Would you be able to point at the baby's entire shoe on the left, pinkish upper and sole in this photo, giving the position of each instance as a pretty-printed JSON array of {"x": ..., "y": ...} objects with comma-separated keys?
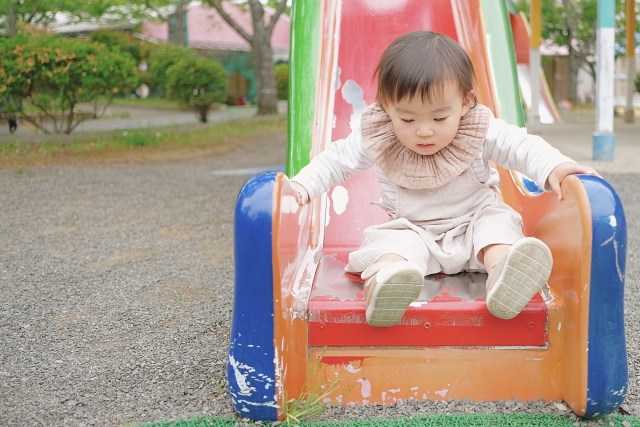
[{"x": 391, "y": 285}]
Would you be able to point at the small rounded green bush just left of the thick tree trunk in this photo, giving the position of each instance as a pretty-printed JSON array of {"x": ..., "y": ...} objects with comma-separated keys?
[{"x": 198, "y": 83}]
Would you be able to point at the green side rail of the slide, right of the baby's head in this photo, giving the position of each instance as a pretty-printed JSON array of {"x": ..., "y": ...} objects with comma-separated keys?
[{"x": 503, "y": 60}]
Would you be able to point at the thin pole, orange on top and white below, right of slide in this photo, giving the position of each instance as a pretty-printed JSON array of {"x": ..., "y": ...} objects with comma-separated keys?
[{"x": 535, "y": 12}]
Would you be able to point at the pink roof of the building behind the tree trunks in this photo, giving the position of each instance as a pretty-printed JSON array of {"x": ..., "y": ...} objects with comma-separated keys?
[{"x": 207, "y": 30}]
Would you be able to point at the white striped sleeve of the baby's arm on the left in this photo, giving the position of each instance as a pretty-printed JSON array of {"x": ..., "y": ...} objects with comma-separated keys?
[{"x": 333, "y": 166}]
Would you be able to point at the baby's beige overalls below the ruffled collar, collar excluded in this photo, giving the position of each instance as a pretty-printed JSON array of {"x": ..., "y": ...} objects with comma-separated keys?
[{"x": 441, "y": 230}]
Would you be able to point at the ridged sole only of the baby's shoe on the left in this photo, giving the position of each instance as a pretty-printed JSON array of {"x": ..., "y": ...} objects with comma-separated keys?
[{"x": 398, "y": 286}]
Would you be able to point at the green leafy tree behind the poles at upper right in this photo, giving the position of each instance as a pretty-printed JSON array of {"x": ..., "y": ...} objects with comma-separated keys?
[{"x": 572, "y": 24}]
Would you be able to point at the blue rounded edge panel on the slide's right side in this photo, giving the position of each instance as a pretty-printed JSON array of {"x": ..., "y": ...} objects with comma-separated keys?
[{"x": 607, "y": 361}]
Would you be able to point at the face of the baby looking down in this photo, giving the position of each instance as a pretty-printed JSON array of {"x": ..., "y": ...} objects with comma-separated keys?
[{"x": 427, "y": 127}]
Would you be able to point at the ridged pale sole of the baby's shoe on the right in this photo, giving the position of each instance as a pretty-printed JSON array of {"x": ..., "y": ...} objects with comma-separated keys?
[{"x": 525, "y": 273}]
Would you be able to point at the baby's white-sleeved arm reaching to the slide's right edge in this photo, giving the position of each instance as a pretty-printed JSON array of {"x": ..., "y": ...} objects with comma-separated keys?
[{"x": 513, "y": 148}]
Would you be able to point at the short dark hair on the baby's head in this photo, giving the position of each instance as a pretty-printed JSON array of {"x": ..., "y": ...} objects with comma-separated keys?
[{"x": 422, "y": 63}]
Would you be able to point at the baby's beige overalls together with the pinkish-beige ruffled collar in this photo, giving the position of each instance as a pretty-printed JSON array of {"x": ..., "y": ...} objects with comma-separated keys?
[{"x": 441, "y": 228}]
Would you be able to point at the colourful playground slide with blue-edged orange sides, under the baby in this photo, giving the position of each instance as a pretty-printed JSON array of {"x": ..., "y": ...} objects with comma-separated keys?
[{"x": 299, "y": 319}]
